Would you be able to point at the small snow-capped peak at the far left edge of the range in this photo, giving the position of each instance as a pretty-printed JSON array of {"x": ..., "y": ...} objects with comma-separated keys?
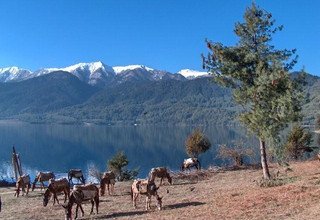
[{"x": 13, "y": 74}]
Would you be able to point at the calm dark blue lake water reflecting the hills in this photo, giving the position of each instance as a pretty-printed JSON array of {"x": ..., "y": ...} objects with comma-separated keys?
[{"x": 59, "y": 148}]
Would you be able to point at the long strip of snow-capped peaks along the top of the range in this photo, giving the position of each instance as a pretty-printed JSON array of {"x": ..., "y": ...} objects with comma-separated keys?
[{"x": 99, "y": 74}]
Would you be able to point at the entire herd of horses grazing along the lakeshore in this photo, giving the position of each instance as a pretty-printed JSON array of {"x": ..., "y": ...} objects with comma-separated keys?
[{"x": 90, "y": 192}]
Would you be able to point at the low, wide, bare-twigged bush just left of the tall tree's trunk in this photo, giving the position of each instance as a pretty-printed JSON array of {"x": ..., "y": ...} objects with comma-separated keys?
[{"x": 236, "y": 153}]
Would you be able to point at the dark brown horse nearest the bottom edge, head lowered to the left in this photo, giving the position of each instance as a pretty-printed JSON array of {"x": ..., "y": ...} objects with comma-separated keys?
[{"x": 80, "y": 194}]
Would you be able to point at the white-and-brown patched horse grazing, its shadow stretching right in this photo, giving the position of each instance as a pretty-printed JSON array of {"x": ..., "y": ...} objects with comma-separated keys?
[{"x": 144, "y": 187}]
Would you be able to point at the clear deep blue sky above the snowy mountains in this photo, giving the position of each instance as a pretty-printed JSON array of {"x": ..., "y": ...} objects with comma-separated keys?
[{"x": 162, "y": 34}]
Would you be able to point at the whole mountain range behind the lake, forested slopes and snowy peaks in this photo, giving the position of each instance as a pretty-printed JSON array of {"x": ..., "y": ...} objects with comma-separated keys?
[{"x": 134, "y": 94}]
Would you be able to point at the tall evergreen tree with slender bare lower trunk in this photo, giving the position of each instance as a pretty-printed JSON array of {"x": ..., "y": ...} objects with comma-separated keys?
[{"x": 258, "y": 75}]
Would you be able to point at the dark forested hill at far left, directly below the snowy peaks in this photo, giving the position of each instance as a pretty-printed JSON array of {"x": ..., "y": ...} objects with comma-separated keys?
[{"x": 42, "y": 94}]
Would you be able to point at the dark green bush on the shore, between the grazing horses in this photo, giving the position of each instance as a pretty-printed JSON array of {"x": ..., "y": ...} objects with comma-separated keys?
[{"x": 118, "y": 163}]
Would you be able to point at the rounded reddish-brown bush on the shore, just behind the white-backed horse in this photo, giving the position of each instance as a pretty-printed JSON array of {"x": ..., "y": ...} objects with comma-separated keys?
[{"x": 197, "y": 143}]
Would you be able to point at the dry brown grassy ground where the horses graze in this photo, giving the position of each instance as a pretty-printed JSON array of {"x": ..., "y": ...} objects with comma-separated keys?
[{"x": 216, "y": 195}]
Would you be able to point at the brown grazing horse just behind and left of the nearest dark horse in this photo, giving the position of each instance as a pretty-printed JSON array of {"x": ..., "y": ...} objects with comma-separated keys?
[{"x": 54, "y": 187}]
